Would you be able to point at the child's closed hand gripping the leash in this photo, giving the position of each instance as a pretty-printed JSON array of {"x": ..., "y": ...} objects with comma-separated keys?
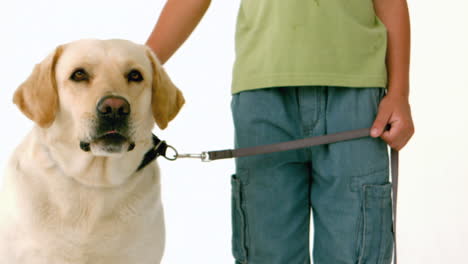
[{"x": 394, "y": 110}]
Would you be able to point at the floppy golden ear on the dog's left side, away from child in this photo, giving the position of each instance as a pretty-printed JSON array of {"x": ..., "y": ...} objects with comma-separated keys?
[{"x": 37, "y": 97}]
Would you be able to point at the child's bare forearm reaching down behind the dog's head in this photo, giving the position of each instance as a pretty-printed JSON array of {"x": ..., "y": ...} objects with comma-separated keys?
[{"x": 175, "y": 24}]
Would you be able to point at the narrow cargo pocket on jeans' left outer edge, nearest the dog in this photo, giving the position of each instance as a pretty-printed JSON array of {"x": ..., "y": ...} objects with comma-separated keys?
[{"x": 239, "y": 227}]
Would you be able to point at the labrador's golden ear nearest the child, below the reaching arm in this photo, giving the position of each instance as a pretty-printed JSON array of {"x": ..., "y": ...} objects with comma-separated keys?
[{"x": 166, "y": 99}]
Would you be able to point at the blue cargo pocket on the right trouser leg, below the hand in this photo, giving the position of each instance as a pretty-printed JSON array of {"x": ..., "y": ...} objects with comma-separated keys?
[{"x": 375, "y": 236}]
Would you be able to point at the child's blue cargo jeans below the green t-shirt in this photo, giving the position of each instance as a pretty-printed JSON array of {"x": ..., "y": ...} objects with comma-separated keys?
[{"x": 345, "y": 184}]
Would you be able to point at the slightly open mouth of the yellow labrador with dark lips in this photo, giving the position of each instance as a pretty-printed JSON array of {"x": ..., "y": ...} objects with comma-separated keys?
[{"x": 109, "y": 143}]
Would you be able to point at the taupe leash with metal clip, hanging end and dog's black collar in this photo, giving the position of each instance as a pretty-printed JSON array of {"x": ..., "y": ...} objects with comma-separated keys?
[{"x": 160, "y": 148}]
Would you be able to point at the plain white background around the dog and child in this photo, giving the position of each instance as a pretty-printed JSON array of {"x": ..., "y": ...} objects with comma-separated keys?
[{"x": 433, "y": 198}]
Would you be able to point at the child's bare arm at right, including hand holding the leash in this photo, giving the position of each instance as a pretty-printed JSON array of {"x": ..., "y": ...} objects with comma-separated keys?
[{"x": 394, "y": 107}]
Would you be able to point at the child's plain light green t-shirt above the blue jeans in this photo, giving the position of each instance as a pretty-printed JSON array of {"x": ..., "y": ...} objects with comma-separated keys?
[{"x": 309, "y": 42}]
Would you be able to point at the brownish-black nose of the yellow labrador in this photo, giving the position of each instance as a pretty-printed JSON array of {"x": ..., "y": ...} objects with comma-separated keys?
[{"x": 113, "y": 107}]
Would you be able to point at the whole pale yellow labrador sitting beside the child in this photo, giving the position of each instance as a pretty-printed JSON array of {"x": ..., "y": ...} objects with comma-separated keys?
[{"x": 72, "y": 192}]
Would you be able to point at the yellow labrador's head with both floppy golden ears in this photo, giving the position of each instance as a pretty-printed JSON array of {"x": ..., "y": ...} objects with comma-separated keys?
[{"x": 106, "y": 94}]
